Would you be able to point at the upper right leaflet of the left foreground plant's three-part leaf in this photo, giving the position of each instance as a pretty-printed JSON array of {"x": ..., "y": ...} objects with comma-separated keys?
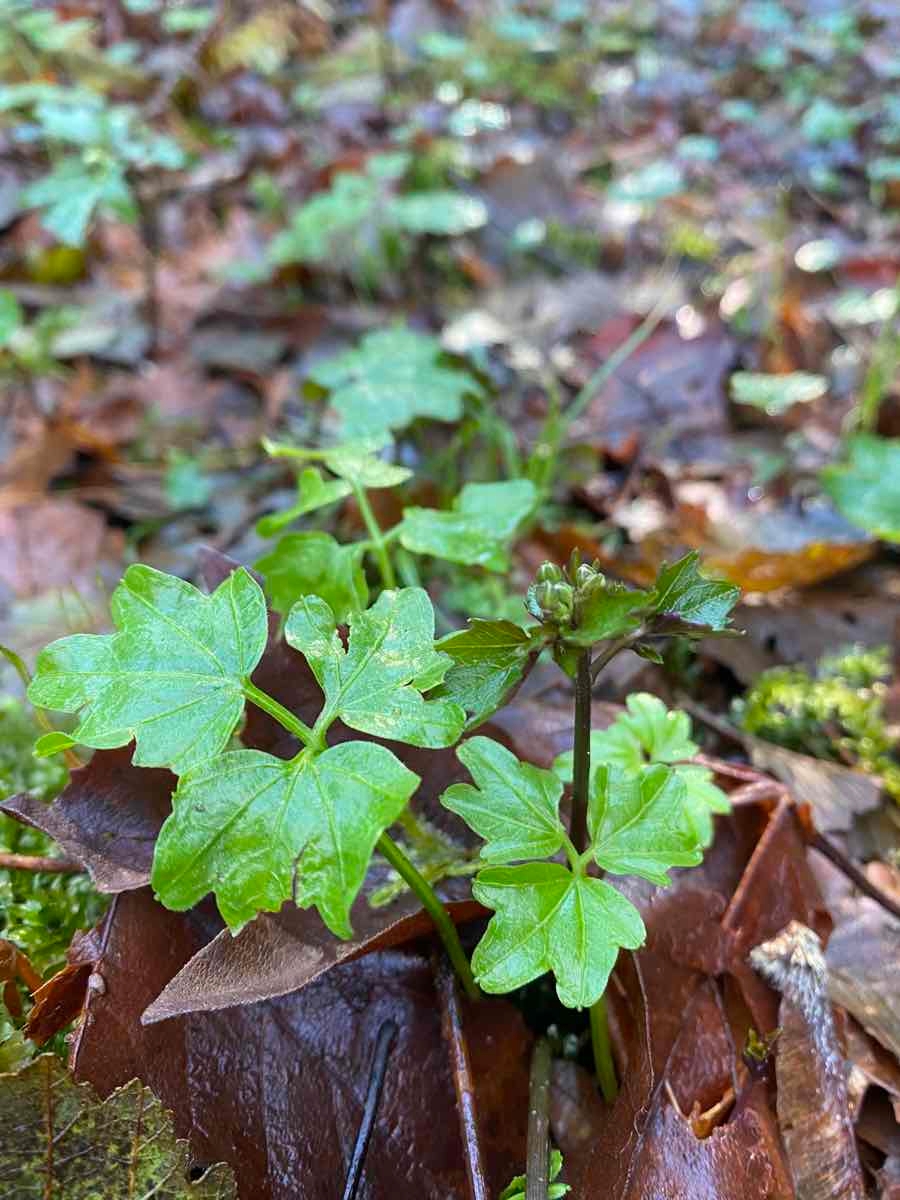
[{"x": 376, "y": 685}]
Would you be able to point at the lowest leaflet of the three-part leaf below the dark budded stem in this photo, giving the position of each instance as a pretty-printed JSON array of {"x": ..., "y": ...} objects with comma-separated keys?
[{"x": 547, "y": 919}]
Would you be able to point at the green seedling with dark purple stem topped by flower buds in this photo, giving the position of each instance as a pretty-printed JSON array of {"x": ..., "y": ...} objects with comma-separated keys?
[{"x": 629, "y": 817}]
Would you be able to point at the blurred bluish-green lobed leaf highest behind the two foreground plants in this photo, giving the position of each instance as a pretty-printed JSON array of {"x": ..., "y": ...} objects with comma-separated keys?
[{"x": 393, "y": 379}]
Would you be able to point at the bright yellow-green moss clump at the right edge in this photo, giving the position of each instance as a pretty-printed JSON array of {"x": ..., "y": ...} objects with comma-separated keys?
[{"x": 836, "y": 712}]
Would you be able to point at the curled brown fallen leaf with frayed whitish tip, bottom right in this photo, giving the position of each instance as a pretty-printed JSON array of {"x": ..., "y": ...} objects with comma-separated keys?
[{"x": 819, "y": 1137}]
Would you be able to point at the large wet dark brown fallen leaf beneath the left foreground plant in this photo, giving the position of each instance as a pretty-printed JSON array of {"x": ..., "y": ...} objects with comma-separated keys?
[{"x": 278, "y": 1089}]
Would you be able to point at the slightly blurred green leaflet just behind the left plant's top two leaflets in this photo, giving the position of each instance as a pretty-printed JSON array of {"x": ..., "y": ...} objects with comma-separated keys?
[{"x": 315, "y": 565}]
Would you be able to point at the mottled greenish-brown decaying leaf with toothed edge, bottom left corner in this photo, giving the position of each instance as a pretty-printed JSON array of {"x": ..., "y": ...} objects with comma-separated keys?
[{"x": 58, "y": 1139}]
